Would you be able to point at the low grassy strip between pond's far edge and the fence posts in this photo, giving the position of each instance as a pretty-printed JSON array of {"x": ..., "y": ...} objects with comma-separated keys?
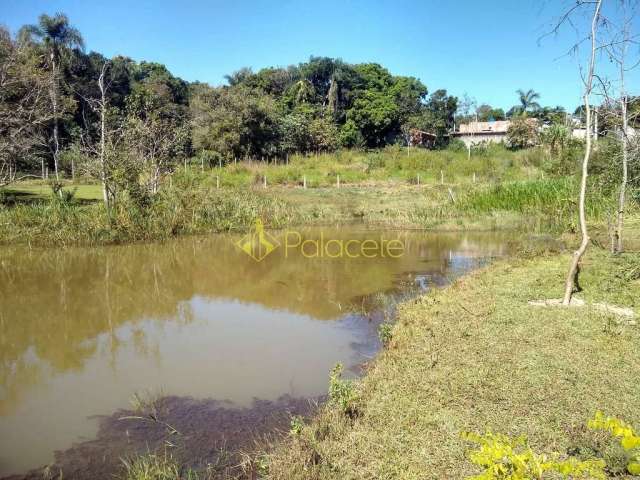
[{"x": 190, "y": 206}]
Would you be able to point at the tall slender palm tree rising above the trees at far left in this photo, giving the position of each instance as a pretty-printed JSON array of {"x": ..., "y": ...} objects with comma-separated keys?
[{"x": 58, "y": 36}]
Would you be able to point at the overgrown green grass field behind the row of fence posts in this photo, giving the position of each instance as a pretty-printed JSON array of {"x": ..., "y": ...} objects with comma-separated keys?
[{"x": 392, "y": 164}]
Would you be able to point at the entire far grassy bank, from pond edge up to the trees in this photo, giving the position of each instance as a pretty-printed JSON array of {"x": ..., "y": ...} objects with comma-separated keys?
[{"x": 510, "y": 191}]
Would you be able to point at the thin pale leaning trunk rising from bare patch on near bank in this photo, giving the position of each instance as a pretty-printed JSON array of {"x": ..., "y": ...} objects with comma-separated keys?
[{"x": 574, "y": 268}]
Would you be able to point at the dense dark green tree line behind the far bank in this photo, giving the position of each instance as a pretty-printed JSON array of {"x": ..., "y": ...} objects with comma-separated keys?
[{"x": 59, "y": 104}]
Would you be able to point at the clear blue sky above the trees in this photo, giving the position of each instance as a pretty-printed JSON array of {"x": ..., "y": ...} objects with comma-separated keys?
[{"x": 485, "y": 49}]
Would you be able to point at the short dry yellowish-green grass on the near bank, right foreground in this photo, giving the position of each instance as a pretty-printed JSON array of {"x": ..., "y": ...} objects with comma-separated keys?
[{"x": 474, "y": 357}]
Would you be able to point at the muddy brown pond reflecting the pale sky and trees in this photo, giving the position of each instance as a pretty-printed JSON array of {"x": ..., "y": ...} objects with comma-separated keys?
[{"x": 229, "y": 346}]
